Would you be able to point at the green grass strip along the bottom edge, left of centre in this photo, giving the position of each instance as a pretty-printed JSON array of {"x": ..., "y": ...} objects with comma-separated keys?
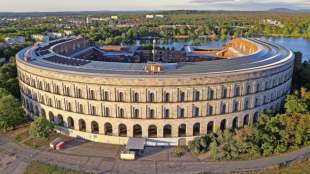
[{"x": 39, "y": 168}]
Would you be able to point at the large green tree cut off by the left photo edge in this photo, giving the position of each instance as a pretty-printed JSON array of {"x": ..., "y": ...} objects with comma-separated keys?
[{"x": 11, "y": 113}]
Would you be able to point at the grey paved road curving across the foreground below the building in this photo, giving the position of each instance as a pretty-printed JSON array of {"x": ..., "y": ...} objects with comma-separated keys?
[{"x": 25, "y": 155}]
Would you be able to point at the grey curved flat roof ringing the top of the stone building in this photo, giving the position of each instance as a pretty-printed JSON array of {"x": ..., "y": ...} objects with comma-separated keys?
[{"x": 267, "y": 56}]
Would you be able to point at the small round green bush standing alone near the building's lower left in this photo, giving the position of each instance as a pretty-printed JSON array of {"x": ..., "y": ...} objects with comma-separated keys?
[{"x": 41, "y": 128}]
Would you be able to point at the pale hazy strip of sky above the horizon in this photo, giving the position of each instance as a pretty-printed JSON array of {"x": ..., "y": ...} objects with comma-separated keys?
[{"x": 125, "y": 5}]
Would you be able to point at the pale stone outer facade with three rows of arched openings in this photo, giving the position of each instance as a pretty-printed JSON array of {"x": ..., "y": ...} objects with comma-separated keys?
[{"x": 36, "y": 98}]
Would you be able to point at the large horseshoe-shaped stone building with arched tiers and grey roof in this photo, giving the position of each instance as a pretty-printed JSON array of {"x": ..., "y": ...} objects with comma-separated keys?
[{"x": 110, "y": 94}]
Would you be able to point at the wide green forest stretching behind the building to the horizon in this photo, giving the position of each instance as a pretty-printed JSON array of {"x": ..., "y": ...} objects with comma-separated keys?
[{"x": 175, "y": 25}]
